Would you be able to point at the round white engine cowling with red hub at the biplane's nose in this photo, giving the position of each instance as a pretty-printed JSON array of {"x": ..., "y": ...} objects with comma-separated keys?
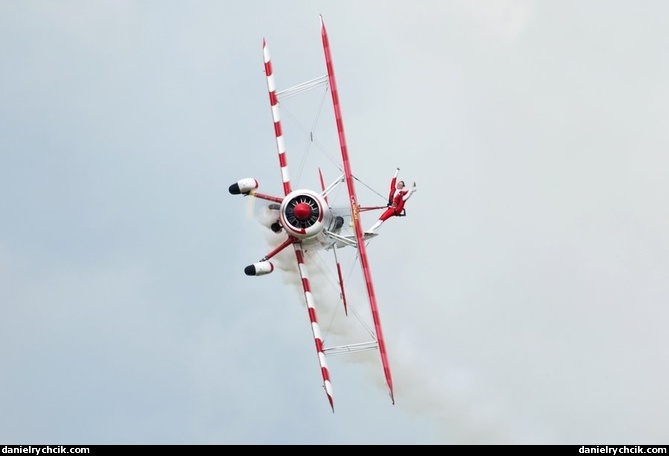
[{"x": 304, "y": 213}]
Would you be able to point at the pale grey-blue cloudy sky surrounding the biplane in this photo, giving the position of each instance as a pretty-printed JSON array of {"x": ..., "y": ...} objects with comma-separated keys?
[{"x": 524, "y": 297}]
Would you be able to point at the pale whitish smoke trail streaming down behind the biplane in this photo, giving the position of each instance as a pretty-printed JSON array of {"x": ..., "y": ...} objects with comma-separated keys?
[{"x": 451, "y": 397}]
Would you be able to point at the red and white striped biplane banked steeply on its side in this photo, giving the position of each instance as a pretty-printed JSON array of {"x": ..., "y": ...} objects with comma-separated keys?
[{"x": 308, "y": 222}]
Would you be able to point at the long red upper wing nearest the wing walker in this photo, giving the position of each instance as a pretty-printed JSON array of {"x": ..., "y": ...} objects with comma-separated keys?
[{"x": 355, "y": 212}]
